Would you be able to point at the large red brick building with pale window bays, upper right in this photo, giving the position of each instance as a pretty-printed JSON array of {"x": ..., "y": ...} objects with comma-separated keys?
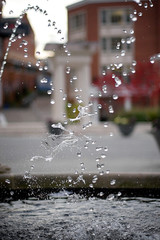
[{"x": 124, "y": 30}]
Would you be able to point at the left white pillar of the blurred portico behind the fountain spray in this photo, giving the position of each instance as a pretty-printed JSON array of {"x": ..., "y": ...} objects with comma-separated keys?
[{"x": 58, "y": 108}]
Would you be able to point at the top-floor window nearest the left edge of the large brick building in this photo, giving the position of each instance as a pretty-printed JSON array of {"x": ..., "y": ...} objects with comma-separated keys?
[{"x": 77, "y": 21}]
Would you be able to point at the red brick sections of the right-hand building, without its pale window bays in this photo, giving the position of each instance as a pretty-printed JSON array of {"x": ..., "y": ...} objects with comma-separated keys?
[{"x": 147, "y": 29}]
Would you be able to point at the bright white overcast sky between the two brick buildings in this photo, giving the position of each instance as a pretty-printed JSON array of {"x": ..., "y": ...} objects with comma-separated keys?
[{"x": 56, "y": 10}]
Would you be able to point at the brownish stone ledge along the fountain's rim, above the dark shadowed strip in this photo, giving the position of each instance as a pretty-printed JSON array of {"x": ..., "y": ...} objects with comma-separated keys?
[{"x": 110, "y": 181}]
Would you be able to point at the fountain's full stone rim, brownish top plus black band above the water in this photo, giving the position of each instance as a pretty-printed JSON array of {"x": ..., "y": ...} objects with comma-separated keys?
[{"x": 147, "y": 185}]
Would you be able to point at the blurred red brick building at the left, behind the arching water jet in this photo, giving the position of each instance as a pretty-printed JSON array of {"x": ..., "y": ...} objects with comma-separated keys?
[{"x": 21, "y": 70}]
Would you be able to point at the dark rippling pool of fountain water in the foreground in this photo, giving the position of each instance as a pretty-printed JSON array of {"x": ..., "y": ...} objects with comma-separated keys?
[{"x": 65, "y": 216}]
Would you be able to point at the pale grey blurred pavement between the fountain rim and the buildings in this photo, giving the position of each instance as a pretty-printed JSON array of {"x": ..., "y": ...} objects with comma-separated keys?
[{"x": 24, "y": 137}]
